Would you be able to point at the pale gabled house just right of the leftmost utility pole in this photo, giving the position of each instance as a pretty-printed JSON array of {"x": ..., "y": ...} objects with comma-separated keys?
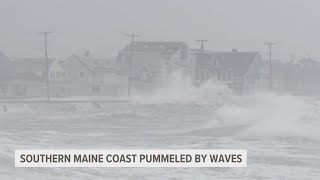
[{"x": 84, "y": 76}]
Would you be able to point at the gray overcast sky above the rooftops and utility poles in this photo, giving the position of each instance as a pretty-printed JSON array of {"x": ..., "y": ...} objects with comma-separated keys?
[{"x": 98, "y": 25}]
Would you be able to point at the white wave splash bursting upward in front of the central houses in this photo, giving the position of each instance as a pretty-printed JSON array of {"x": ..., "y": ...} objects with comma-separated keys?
[{"x": 180, "y": 89}]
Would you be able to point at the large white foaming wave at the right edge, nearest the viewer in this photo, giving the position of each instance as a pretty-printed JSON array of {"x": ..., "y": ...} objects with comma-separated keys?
[{"x": 269, "y": 115}]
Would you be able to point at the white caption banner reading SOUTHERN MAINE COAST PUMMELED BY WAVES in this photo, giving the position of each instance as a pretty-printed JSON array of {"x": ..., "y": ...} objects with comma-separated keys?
[{"x": 131, "y": 158}]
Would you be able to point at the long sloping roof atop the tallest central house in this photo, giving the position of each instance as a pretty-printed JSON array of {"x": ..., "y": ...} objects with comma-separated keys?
[{"x": 153, "y": 47}]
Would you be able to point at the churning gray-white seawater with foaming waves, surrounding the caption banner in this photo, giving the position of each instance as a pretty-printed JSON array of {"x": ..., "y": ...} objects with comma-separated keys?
[{"x": 280, "y": 132}]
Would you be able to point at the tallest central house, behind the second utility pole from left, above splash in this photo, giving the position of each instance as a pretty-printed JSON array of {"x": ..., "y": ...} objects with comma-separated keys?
[{"x": 151, "y": 63}]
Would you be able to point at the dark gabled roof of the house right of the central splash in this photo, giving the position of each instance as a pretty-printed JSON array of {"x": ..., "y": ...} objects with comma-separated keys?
[{"x": 239, "y": 62}]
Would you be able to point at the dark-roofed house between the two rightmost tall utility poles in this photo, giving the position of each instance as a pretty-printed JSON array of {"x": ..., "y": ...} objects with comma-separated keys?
[{"x": 241, "y": 71}]
